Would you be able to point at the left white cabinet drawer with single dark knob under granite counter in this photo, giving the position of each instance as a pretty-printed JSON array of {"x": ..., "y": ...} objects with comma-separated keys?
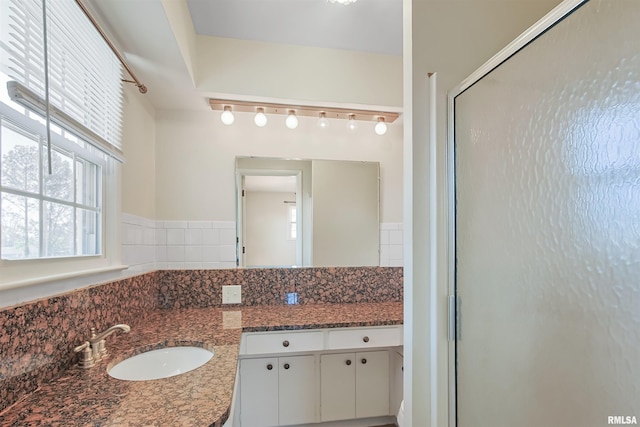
[{"x": 284, "y": 342}]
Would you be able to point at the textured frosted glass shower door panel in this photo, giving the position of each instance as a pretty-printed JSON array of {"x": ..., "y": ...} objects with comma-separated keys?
[{"x": 547, "y": 228}]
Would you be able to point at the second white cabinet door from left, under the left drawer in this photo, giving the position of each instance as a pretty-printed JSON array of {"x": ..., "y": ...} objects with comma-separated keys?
[{"x": 297, "y": 390}]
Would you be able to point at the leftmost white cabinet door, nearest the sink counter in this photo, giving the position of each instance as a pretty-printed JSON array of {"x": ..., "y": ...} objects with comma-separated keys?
[{"x": 259, "y": 392}]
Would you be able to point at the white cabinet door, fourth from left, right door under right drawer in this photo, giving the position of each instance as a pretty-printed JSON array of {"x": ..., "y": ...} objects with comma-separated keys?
[{"x": 372, "y": 384}]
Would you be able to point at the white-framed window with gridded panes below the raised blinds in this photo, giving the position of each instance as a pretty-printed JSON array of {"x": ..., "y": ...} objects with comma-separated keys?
[{"x": 57, "y": 215}]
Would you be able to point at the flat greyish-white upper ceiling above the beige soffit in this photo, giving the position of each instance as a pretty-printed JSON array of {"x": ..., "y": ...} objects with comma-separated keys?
[{"x": 373, "y": 26}]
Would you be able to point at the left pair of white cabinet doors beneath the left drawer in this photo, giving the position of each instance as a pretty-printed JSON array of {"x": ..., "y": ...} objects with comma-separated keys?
[{"x": 277, "y": 391}]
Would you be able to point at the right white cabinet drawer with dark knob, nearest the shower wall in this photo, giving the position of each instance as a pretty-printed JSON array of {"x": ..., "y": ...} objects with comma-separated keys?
[{"x": 365, "y": 338}]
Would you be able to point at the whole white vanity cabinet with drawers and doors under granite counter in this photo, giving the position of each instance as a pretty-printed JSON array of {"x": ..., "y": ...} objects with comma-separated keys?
[{"x": 317, "y": 375}]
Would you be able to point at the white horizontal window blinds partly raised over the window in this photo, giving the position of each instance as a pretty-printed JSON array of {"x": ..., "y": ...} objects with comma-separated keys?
[{"x": 85, "y": 77}]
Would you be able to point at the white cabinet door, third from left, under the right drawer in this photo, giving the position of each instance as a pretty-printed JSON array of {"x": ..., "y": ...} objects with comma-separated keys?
[{"x": 337, "y": 386}]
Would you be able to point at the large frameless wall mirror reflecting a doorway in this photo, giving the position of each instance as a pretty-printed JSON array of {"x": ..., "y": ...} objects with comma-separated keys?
[{"x": 303, "y": 213}]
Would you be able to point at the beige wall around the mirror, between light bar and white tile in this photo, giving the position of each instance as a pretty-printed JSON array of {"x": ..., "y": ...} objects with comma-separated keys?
[{"x": 195, "y": 155}]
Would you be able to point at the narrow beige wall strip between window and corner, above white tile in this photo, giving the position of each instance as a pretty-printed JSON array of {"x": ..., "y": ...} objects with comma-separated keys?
[{"x": 138, "y": 140}]
